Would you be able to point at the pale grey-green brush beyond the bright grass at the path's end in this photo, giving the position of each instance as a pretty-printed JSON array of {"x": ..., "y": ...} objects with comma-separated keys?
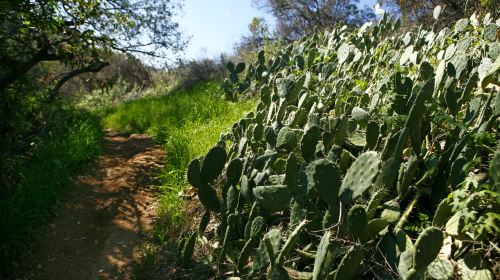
[{"x": 108, "y": 88}]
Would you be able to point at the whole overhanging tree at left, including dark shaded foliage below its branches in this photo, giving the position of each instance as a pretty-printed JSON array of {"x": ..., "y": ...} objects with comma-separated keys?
[{"x": 78, "y": 34}]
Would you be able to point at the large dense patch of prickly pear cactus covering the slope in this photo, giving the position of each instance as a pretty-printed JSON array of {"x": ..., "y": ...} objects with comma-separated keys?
[{"x": 354, "y": 132}]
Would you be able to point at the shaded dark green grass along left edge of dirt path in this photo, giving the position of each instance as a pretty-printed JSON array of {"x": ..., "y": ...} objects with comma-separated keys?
[{"x": 44, "y": 177}]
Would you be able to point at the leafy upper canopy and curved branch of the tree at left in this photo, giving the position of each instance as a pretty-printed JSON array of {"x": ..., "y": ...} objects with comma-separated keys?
[{"x": 80, "y": 33}]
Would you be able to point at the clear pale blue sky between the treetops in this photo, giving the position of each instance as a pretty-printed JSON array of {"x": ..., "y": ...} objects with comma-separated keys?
[{"x": 215, "y": 26}]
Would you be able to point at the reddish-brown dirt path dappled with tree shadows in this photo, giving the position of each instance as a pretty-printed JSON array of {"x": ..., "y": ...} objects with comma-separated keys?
[{"x": 103, "y": 219}]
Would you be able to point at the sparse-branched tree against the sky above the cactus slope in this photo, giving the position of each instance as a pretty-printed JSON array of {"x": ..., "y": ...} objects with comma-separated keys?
[{"x": 296, "y": 18}]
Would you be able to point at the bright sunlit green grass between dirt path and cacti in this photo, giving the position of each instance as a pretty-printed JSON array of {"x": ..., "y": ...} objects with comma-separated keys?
[{"x": 188, "y": 123}]
